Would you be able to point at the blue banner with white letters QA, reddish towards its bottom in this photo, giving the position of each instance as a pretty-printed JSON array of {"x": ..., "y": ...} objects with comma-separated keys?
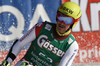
[{"x": 18, "y": 16}]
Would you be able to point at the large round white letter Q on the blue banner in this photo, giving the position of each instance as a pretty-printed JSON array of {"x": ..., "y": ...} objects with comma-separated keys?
[{"x": 16, "y": 32}]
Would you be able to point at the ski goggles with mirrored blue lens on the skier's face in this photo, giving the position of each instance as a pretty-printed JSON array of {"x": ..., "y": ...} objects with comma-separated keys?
[{"x": 64, "y": 18}]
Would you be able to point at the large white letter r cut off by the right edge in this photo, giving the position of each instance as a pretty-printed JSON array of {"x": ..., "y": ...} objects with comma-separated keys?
[{"x": 95, "y": 8}]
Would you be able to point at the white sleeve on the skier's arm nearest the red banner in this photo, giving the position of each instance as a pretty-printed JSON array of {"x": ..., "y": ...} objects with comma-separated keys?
[{"x": 69, "y": 56}]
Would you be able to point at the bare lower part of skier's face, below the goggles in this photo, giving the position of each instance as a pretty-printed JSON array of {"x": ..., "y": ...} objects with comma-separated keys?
[{"x": 62, "y": 27}]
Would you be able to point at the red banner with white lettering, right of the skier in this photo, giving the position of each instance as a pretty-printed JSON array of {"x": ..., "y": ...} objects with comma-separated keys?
[{"x": 88, "y": 37}]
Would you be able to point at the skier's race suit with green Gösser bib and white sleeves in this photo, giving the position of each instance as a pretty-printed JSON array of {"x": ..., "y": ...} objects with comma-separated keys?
[{"x": 47, "y": 47}]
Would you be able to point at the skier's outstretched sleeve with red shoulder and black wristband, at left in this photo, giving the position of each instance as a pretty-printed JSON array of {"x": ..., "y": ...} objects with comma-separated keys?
[{"x": 18, "y": 45}]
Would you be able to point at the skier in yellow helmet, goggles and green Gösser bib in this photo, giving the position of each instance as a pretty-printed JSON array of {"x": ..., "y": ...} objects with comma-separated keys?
[{"x": 51, "y": 44}]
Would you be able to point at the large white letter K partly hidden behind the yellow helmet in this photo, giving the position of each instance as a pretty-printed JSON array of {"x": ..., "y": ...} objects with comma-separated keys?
[{"x": 84, "y": 19}]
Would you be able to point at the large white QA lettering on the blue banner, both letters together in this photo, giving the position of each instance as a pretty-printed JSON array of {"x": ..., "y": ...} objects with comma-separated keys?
[{"x": 17, "y": 32}]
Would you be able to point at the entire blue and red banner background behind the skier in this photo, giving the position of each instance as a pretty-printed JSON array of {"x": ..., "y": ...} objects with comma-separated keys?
[{"x": 18, "y": 16}]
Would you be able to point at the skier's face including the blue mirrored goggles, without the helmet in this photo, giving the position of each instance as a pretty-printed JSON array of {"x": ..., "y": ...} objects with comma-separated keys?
[{"x": 63, "y": 22}]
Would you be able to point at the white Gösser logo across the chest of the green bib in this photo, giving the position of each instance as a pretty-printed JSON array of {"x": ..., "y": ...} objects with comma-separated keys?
[{"x": 43, "y": 42}]
